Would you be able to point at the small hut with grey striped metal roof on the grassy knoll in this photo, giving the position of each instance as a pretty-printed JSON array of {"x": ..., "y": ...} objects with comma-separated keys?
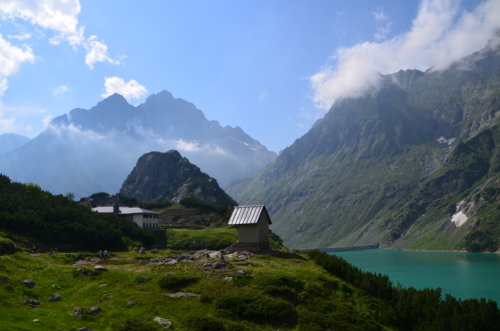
[{"x": 252, "y": 223}]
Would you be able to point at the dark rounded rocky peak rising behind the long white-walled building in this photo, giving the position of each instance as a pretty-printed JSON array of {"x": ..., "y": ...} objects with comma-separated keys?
[{"x": 171, "y": 177}]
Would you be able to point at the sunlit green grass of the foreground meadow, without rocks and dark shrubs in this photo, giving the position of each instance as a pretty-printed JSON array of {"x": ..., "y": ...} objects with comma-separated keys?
[{"x": 130, "y": 279}]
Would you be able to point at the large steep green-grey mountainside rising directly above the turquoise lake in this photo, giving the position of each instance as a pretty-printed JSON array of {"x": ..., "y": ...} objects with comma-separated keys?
[{"x": 352, "y": 178}]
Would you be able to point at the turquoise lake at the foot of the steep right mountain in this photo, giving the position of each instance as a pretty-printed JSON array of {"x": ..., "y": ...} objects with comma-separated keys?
[{"x": 463, "y": 275}]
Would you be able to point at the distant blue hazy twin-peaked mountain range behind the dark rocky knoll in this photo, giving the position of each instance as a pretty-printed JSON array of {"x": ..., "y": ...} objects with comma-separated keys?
[{"x": 93, "y": 150}]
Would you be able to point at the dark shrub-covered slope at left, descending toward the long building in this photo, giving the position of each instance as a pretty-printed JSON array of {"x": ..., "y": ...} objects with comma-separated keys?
[{"x": 56, "y": 222}]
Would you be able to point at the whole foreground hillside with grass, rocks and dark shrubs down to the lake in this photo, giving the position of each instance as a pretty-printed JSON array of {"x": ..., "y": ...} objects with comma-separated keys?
[{"x": 196, "y": 292}]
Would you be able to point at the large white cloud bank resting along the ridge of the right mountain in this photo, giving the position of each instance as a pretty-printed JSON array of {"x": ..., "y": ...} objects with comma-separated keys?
[{"x": 440, "y": 34}]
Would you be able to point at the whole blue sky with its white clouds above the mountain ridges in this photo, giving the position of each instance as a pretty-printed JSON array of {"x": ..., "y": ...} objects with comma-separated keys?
[{"x": 270, "y": 67}]
